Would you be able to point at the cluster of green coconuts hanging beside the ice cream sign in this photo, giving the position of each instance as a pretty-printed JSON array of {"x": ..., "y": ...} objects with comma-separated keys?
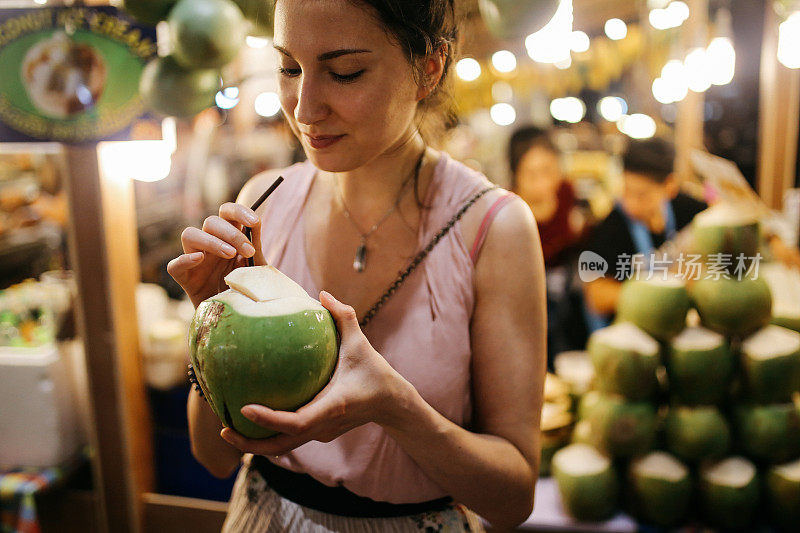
[{"x": 204, "y": 36}]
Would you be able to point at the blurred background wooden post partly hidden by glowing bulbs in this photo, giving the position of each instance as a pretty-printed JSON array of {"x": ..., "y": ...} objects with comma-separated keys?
[{"x": 691, "y": 115}]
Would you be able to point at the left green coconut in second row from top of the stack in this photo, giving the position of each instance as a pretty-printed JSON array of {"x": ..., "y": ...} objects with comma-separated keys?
[{"x": 658, "y": 306}]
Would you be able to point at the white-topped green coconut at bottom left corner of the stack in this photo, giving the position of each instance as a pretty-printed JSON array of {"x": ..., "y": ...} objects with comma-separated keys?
[{"x": 587, "y": 482}]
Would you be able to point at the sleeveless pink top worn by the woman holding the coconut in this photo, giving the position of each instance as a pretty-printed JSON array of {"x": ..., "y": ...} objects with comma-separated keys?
[{"x": 422, "y": 331}]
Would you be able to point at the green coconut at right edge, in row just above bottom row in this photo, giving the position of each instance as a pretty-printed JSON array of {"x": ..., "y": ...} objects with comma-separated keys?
[{"x": 769, "y": 433}]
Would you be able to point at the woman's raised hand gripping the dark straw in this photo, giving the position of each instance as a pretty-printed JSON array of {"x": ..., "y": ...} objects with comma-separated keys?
[{"x": 212, "y": 252}]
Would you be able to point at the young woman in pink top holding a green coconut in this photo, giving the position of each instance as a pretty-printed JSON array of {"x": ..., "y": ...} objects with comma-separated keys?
[{"x": 432, "y": 414}]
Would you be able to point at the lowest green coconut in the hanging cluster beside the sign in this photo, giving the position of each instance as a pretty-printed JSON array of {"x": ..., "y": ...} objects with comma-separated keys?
[{"x": 168, "y": 88}]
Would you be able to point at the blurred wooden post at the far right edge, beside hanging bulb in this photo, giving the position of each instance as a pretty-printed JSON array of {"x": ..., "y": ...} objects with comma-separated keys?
[{"x": 779, "y": 115}]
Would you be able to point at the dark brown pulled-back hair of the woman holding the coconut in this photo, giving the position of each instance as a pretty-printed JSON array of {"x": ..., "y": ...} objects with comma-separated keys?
[{"x": 422, "y": 28}]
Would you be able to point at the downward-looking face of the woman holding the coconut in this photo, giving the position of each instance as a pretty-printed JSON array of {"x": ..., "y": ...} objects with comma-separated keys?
[{"x": 346, "y": 89}]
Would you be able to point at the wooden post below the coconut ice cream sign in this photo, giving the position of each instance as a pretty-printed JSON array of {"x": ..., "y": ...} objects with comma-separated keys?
[{"x": 104, "y": 255}]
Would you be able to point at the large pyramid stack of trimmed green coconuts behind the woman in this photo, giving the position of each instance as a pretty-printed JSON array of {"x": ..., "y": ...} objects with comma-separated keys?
[{"x": 693, "y": 422}]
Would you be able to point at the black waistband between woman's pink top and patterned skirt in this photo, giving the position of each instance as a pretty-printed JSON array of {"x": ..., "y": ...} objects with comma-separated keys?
[{"x": 304, "y": 490}]
